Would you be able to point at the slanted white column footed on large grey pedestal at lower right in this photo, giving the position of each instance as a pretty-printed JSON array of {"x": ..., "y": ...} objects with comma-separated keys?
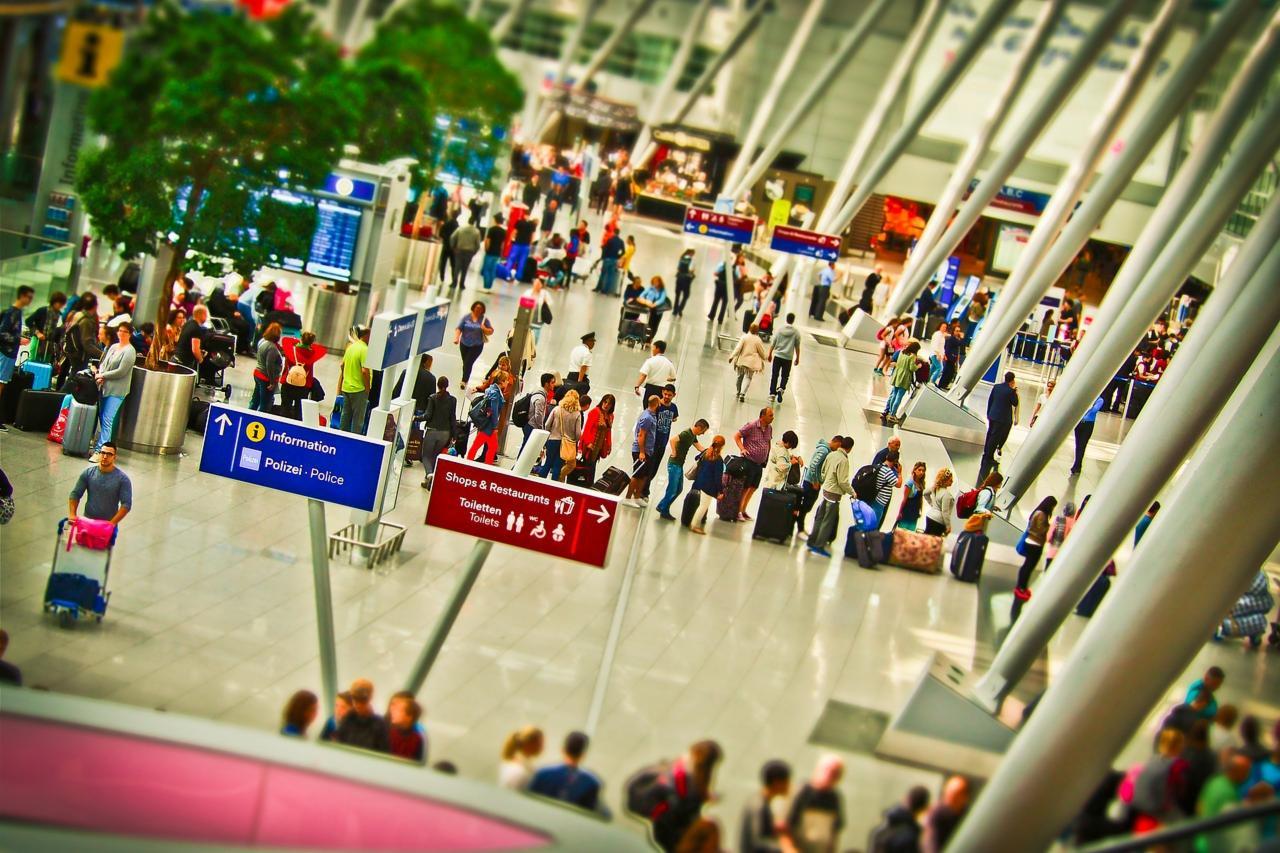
[{"x": 1233, "y": 327}]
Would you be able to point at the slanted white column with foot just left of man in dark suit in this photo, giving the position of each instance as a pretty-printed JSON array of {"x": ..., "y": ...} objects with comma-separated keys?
[{"x": 1031, "y": 282}]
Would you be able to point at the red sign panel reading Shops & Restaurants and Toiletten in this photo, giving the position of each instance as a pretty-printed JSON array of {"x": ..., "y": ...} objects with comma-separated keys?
[{"x": 528, "y": 513}]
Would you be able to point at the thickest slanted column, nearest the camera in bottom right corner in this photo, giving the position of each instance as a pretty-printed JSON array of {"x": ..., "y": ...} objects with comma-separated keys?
[{"x": 1185, "y": 576}]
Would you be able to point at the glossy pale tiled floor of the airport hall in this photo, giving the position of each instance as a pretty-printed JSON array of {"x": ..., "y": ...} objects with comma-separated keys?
[{"x": 747, "y": 642}]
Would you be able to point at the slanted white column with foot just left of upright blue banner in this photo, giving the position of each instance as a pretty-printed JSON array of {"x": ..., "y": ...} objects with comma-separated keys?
[{"x": 1014, "y": 150}]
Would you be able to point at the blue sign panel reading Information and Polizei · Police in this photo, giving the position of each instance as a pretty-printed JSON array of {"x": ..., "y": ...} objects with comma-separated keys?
[{"x": 290, "y": 457}]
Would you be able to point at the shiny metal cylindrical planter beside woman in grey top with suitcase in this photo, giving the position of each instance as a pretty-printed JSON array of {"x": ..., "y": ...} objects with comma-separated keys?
[{"x": 154, "y": 417}]
